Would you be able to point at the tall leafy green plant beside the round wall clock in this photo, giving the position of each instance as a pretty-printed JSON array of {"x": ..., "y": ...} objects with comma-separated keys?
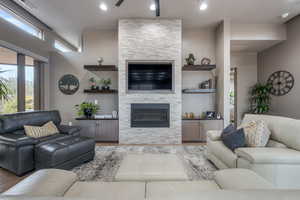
[{"x": 260, "y": 99}]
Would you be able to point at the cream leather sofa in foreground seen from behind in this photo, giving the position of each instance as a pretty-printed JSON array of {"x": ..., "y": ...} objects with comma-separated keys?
[{"x": 238, "y": 184}]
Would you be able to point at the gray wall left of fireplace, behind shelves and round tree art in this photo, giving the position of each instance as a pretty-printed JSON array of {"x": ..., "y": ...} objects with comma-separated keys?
[{"x": 96, "y": 44}]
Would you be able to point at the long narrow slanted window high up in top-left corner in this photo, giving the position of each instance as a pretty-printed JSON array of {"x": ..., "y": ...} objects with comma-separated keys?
[{"x": 40, "y": 32}]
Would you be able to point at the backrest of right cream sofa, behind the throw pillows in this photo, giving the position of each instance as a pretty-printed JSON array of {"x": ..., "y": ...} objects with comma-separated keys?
[{"x": 283, "y": 129}]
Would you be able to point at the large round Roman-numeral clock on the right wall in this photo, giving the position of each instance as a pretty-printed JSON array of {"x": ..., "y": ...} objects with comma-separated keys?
[{"x": 282, "y": 82}]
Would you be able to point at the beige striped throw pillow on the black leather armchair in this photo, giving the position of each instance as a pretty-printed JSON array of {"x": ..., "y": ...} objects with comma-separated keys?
[{"x": 41, "y": 131}]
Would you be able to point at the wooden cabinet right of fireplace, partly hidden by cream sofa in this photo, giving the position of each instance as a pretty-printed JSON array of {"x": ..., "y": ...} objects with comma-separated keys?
[{"x": 195, "y": 130}]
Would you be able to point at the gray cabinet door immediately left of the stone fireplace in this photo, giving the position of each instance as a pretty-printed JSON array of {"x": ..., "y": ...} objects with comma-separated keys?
[{"x": 107, "y": 131}]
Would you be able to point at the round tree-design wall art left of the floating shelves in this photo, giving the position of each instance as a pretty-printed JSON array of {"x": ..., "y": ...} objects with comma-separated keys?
[{"x": 68, "y": 84}]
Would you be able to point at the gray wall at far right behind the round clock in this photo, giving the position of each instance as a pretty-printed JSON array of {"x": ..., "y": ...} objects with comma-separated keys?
[{"x": 284, "y": 56}]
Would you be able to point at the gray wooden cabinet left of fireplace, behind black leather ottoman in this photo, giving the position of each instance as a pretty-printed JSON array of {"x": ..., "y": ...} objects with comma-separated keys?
[{"x": 102, "y": 130}]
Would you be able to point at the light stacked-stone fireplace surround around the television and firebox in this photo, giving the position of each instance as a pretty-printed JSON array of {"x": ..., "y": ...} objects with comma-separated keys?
[{"x": 154, "y": 41}]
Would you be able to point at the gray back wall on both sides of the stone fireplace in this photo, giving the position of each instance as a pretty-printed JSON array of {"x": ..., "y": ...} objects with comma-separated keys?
[{"x": 98, "y": 43}]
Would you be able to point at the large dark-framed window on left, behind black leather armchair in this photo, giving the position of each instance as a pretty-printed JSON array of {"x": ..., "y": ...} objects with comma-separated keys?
[{"x": 22, "y": 76}]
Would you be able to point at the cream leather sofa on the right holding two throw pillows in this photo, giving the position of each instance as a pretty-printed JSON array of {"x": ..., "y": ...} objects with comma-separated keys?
[{"x": 279, "y": 162}]
